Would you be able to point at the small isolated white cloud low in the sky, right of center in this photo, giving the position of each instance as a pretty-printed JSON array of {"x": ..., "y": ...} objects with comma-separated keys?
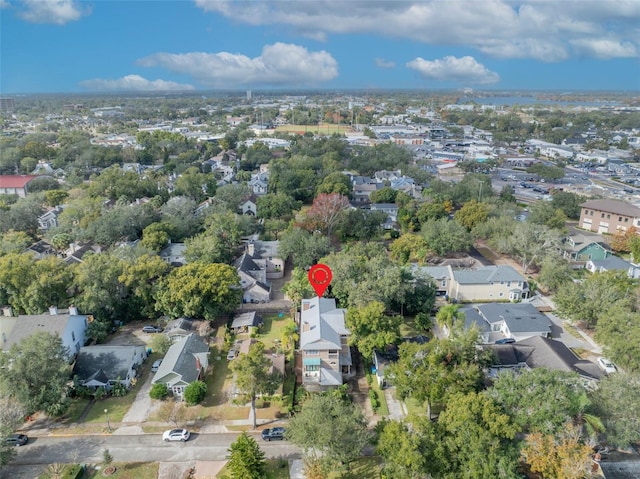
[{"x": 464, "y": 70}]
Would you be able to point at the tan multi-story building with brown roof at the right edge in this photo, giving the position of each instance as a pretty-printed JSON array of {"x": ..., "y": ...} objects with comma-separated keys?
[{"x": 608, "y": 216}]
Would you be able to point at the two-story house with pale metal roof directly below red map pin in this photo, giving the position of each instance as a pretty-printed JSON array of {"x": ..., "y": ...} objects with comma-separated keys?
[{"x": 326, "y": 356}]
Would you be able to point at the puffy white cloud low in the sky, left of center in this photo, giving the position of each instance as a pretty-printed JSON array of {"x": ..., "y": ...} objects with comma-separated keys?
[{"x": 279, "y": 64}]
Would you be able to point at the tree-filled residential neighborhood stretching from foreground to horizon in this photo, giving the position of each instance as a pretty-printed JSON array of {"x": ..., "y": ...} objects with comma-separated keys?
[{"x": 159, "y": 282}]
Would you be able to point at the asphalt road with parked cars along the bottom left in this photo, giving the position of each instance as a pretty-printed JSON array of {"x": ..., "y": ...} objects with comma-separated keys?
[{"x": 147, "y": 447}]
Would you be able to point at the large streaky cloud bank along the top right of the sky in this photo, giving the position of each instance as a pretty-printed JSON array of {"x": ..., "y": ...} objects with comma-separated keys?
[{"x": 546, "y": 30}]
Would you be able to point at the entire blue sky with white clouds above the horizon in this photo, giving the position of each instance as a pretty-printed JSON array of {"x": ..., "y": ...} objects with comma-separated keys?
[{"x": 153, "y": 45}]
